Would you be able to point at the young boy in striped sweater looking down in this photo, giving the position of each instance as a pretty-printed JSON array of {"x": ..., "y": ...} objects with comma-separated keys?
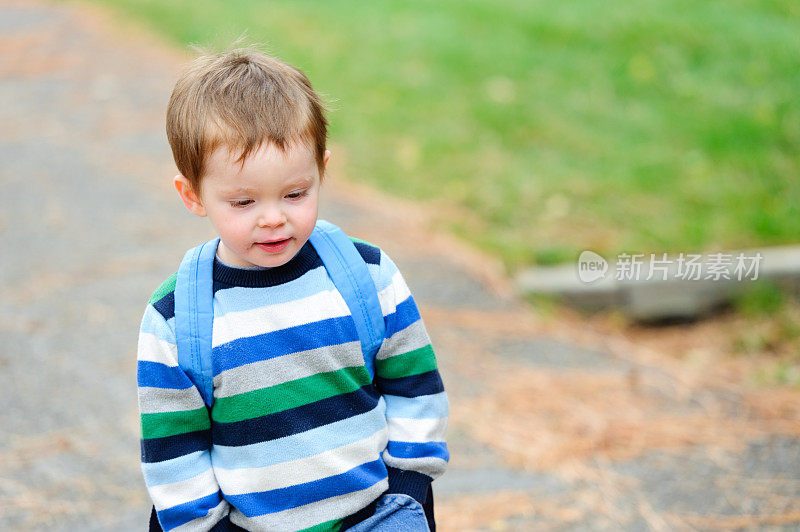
[{"x": 297, "y": 437}]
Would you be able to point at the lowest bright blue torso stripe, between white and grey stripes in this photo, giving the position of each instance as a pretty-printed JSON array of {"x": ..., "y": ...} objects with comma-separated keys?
[{"x": 267, "y": 502}]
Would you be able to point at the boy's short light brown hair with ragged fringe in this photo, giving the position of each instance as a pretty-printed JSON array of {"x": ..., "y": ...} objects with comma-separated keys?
[{"x": 241, "y": 99}]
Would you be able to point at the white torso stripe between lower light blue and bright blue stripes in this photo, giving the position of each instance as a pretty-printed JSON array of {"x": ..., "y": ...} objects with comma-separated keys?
[{"x": 323, "y": 465}]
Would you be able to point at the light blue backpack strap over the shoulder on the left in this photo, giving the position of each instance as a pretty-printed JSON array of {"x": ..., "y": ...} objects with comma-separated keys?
[{"x": 194, "y": 316}]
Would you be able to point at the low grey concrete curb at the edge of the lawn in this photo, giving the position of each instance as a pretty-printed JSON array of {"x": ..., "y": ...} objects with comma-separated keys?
[{"x": 662, "y": 290}]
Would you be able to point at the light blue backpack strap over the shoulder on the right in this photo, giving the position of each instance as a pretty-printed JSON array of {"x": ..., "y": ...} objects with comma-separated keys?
[{"x": 351, "y": 277}]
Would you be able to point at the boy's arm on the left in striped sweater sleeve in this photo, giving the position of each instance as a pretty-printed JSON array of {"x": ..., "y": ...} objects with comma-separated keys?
[{"x": 176, "y": 432}]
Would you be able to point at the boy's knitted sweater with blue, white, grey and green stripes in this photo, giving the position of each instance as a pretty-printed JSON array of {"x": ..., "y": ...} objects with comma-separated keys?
[{"x": 298, "y": 437}]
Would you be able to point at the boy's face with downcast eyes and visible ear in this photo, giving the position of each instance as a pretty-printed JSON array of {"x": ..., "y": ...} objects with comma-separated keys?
[{"x": 263, "y": 211}]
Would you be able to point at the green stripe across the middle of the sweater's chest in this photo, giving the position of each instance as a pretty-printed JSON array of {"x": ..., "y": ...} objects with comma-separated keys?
[{"x": 288, "y": 395}]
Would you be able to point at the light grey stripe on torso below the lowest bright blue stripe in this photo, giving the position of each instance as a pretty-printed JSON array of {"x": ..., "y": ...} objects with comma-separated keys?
[{"x": 311, "y": 514}]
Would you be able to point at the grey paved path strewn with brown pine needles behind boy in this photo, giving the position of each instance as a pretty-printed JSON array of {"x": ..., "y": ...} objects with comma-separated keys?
[{"x": 553, "y": 427}]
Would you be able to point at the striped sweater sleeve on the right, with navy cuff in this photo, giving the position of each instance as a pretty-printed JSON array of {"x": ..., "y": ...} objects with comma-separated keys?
[{"x": 407, "y": 376}]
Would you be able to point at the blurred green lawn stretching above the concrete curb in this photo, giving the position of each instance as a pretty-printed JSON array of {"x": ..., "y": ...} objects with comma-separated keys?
[{"x": 647, "y": 126}]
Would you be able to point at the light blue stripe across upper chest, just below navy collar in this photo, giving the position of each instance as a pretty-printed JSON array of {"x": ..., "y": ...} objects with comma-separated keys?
[{"x": 238, "y": 299}]
